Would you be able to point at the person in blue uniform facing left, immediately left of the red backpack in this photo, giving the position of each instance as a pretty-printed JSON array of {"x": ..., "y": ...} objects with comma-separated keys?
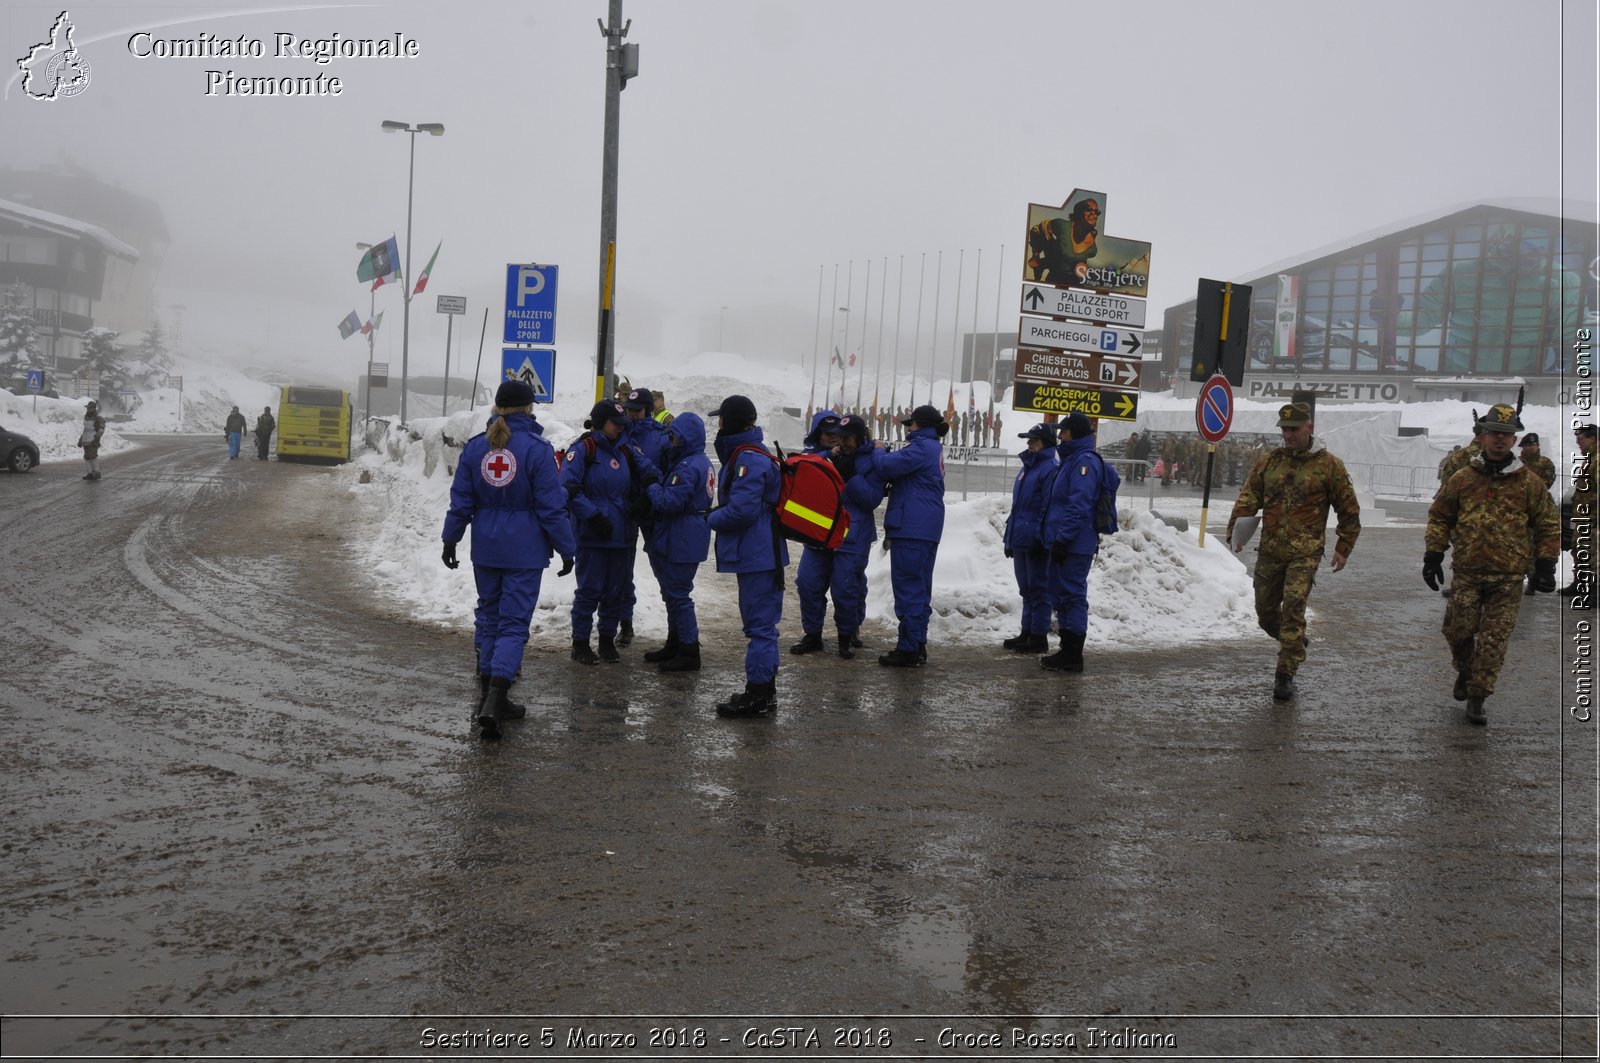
[{"x": 750, "y": 545}]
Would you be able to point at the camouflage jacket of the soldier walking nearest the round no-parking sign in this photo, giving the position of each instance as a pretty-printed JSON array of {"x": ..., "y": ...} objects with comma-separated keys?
[{"x": 1295, "y": 491}]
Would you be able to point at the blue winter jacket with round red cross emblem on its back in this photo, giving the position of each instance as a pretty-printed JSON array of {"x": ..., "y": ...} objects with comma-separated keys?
[{"x": 524, "y": 519}]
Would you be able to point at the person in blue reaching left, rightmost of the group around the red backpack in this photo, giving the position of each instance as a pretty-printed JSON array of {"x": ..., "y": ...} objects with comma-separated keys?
[{"x": 913, "y": 524}]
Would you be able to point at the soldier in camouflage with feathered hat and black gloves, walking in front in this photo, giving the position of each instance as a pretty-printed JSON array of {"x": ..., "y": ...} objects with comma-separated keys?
[{"x": 1489, "y": 515}]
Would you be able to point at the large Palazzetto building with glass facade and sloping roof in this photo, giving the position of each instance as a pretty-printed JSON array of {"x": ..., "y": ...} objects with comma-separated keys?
[{"x": 1468, "y": 303}]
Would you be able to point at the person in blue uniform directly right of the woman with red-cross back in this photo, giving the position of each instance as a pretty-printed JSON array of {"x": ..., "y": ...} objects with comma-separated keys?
[{"x": 602, "y": 476}]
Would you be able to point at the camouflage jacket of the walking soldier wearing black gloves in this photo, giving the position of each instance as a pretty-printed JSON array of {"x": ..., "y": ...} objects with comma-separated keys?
[{"x": 1489, "y": 516}]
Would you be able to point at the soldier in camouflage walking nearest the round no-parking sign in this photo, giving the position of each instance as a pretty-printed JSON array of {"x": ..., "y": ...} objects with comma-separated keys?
[{"x": 1295, "y": 487}]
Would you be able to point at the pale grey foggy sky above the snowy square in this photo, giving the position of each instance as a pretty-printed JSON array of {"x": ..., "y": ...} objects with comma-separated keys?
[{"x": 766, "y": 140}]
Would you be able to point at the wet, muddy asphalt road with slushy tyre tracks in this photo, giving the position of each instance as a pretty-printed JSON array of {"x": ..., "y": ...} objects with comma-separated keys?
[{"x": 239, "y": 787}]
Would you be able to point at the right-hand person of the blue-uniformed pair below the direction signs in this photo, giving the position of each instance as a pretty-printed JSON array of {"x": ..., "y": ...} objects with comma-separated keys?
[{"x": 1068, "y": 531}]
